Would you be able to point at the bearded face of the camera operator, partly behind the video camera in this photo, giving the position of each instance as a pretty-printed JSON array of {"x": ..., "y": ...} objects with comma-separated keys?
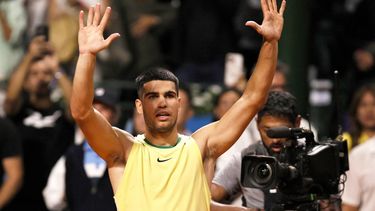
[{"x": 274, "y": 145}]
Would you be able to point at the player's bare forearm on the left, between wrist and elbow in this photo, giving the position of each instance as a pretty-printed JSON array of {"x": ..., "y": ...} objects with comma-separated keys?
[{"x": 83, "y": 86}]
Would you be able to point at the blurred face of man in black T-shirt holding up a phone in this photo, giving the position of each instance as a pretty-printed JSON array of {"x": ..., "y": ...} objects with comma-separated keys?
[{"x": 39, "y": 79}]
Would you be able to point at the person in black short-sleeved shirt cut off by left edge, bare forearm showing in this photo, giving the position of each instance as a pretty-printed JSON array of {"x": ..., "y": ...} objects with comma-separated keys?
[{"x": 11, "y": 170}]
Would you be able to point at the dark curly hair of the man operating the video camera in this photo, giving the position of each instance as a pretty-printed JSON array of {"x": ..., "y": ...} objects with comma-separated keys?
[{"x": 280, "y": 104}]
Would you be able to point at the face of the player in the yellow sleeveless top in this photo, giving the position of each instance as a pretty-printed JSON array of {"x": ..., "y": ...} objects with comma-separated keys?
[{"x": 159, "y": 104}]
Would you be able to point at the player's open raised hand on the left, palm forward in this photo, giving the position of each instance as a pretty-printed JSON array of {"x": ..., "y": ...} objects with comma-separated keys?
[{"x": 90, "y": 37}]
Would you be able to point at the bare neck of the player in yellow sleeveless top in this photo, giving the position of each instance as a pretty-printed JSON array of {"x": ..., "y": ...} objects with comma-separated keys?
[{"x": 162, "y": 139}]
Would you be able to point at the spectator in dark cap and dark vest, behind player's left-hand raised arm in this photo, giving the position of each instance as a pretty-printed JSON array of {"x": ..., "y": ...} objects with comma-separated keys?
[{"x": 79, "y": 180}]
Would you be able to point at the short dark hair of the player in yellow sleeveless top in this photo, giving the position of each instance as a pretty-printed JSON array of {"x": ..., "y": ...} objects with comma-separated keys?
[{"x": 153, "y": 74}]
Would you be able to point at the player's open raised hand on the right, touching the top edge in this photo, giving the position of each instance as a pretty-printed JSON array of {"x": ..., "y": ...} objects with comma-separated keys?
[{"x": 273, "y": 20}]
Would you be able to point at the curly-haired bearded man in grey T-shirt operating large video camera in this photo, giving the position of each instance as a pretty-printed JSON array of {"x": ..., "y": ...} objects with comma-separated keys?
[{"x": 280, "y": 110}]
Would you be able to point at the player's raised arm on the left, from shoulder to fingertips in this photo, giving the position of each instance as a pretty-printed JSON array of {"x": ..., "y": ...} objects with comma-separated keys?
[{"x": 105, "y": 140}]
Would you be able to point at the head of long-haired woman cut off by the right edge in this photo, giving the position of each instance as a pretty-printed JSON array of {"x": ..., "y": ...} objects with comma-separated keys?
[{"x": 361, "y": 116}]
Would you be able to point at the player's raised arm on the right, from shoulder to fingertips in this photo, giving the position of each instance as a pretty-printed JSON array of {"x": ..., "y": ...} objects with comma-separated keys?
[{"x": 216, "y": 138}]
